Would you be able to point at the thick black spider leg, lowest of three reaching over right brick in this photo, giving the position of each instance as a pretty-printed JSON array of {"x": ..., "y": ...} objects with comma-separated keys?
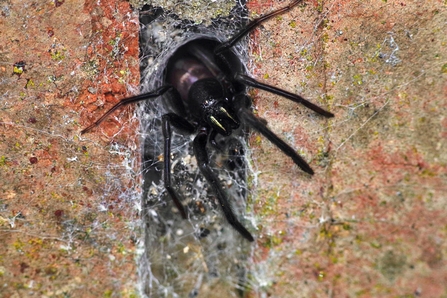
[{"x": 245, "y": 115}]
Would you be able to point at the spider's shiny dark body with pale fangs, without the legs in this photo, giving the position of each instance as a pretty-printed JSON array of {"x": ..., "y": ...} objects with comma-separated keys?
[{"x": 205, "y": 84}]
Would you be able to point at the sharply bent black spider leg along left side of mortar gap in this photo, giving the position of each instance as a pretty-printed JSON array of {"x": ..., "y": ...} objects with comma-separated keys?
[{"x": 181, "y": 124}]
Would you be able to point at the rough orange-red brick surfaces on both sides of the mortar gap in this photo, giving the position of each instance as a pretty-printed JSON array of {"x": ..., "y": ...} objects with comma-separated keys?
[{"x": 370, "y": 223}]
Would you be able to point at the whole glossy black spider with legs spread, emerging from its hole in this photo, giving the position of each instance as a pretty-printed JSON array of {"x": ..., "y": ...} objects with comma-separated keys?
[{"x": 204, "y": 92}]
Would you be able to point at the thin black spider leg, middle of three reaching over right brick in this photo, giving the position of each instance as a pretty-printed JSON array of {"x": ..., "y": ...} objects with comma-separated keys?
[{"x": 246, "y": 80}]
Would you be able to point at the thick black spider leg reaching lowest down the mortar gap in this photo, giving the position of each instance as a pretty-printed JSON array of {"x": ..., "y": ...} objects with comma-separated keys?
[{"x": 201, "y": 154}]
